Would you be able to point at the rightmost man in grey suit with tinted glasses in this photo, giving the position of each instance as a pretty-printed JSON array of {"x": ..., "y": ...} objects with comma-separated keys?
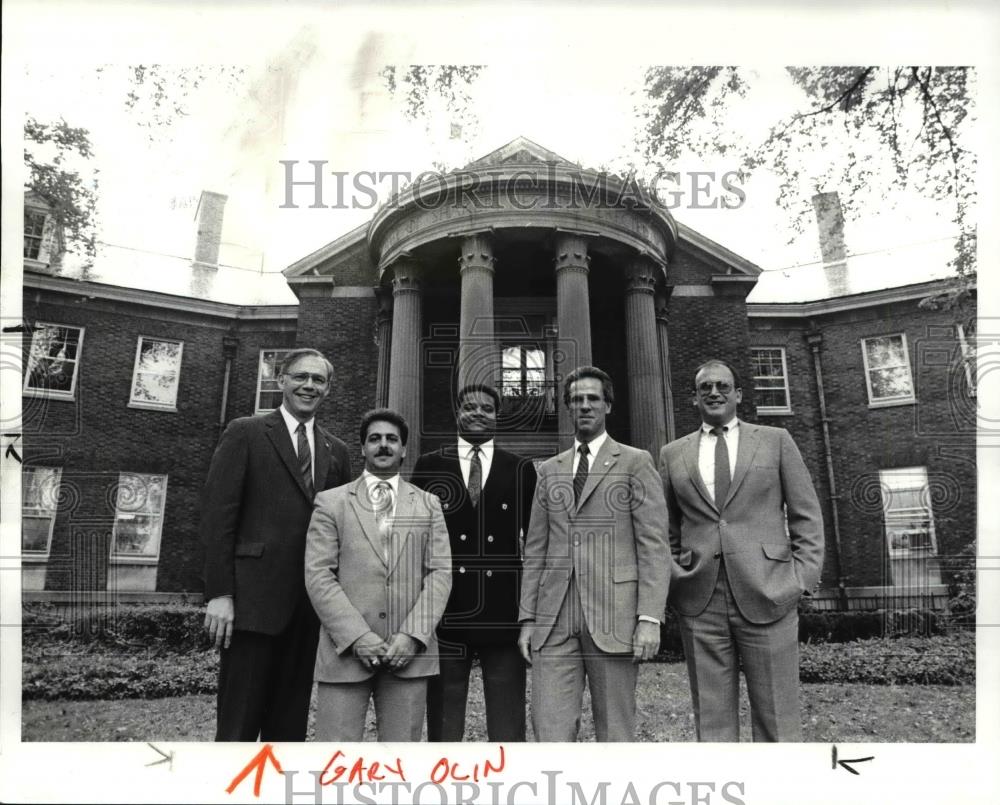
[{"x": 747, "y": 534}]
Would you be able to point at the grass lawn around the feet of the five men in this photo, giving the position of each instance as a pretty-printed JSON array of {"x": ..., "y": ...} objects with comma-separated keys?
[{"x": 845, "y": 713}]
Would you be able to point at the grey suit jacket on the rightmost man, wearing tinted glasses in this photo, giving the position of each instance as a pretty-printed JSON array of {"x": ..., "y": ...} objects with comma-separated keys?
[{"x": 768, "y": 565}]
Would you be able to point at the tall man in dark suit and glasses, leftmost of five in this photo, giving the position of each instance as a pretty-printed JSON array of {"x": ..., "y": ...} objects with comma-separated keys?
[{"x": 255, "y": 510}]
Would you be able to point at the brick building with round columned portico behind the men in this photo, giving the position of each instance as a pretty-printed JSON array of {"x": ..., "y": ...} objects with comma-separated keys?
[{"x": 512, "y": 271}]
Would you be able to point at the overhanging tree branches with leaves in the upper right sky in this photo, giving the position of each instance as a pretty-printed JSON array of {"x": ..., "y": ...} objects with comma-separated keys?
[{"x": 878, "y": 130}]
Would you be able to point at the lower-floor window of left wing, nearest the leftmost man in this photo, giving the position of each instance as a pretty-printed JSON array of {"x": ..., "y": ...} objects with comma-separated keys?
[{"x": 139, "y": 501}]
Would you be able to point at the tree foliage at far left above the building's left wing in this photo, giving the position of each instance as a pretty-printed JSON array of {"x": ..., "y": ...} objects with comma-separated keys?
[{"x": 54, "y": 155}]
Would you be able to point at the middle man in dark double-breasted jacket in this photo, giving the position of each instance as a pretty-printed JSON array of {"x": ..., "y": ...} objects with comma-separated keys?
[{"x": 486, "y": 495}]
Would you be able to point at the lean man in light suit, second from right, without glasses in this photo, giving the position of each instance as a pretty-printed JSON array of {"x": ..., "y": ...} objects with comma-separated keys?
[{"x": 596, "y": 571}]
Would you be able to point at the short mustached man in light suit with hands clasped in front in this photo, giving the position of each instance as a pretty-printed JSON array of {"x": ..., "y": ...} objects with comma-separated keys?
[{"x": 378, "y": 572}]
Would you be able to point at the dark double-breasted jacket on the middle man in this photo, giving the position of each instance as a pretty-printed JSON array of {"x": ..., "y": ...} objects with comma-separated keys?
[{"x": 485, "y": 543}]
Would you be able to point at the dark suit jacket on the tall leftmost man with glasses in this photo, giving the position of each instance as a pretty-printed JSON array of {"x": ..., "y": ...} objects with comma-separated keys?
[{"x": 254, "y": 515}]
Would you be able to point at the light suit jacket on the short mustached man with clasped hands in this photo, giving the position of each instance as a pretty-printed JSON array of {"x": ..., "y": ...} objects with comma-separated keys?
[{"x": 356, "y": 590}]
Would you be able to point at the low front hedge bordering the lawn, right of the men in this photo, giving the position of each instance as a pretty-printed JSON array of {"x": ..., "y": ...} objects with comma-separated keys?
[{"x": 946, "y": 660}]
